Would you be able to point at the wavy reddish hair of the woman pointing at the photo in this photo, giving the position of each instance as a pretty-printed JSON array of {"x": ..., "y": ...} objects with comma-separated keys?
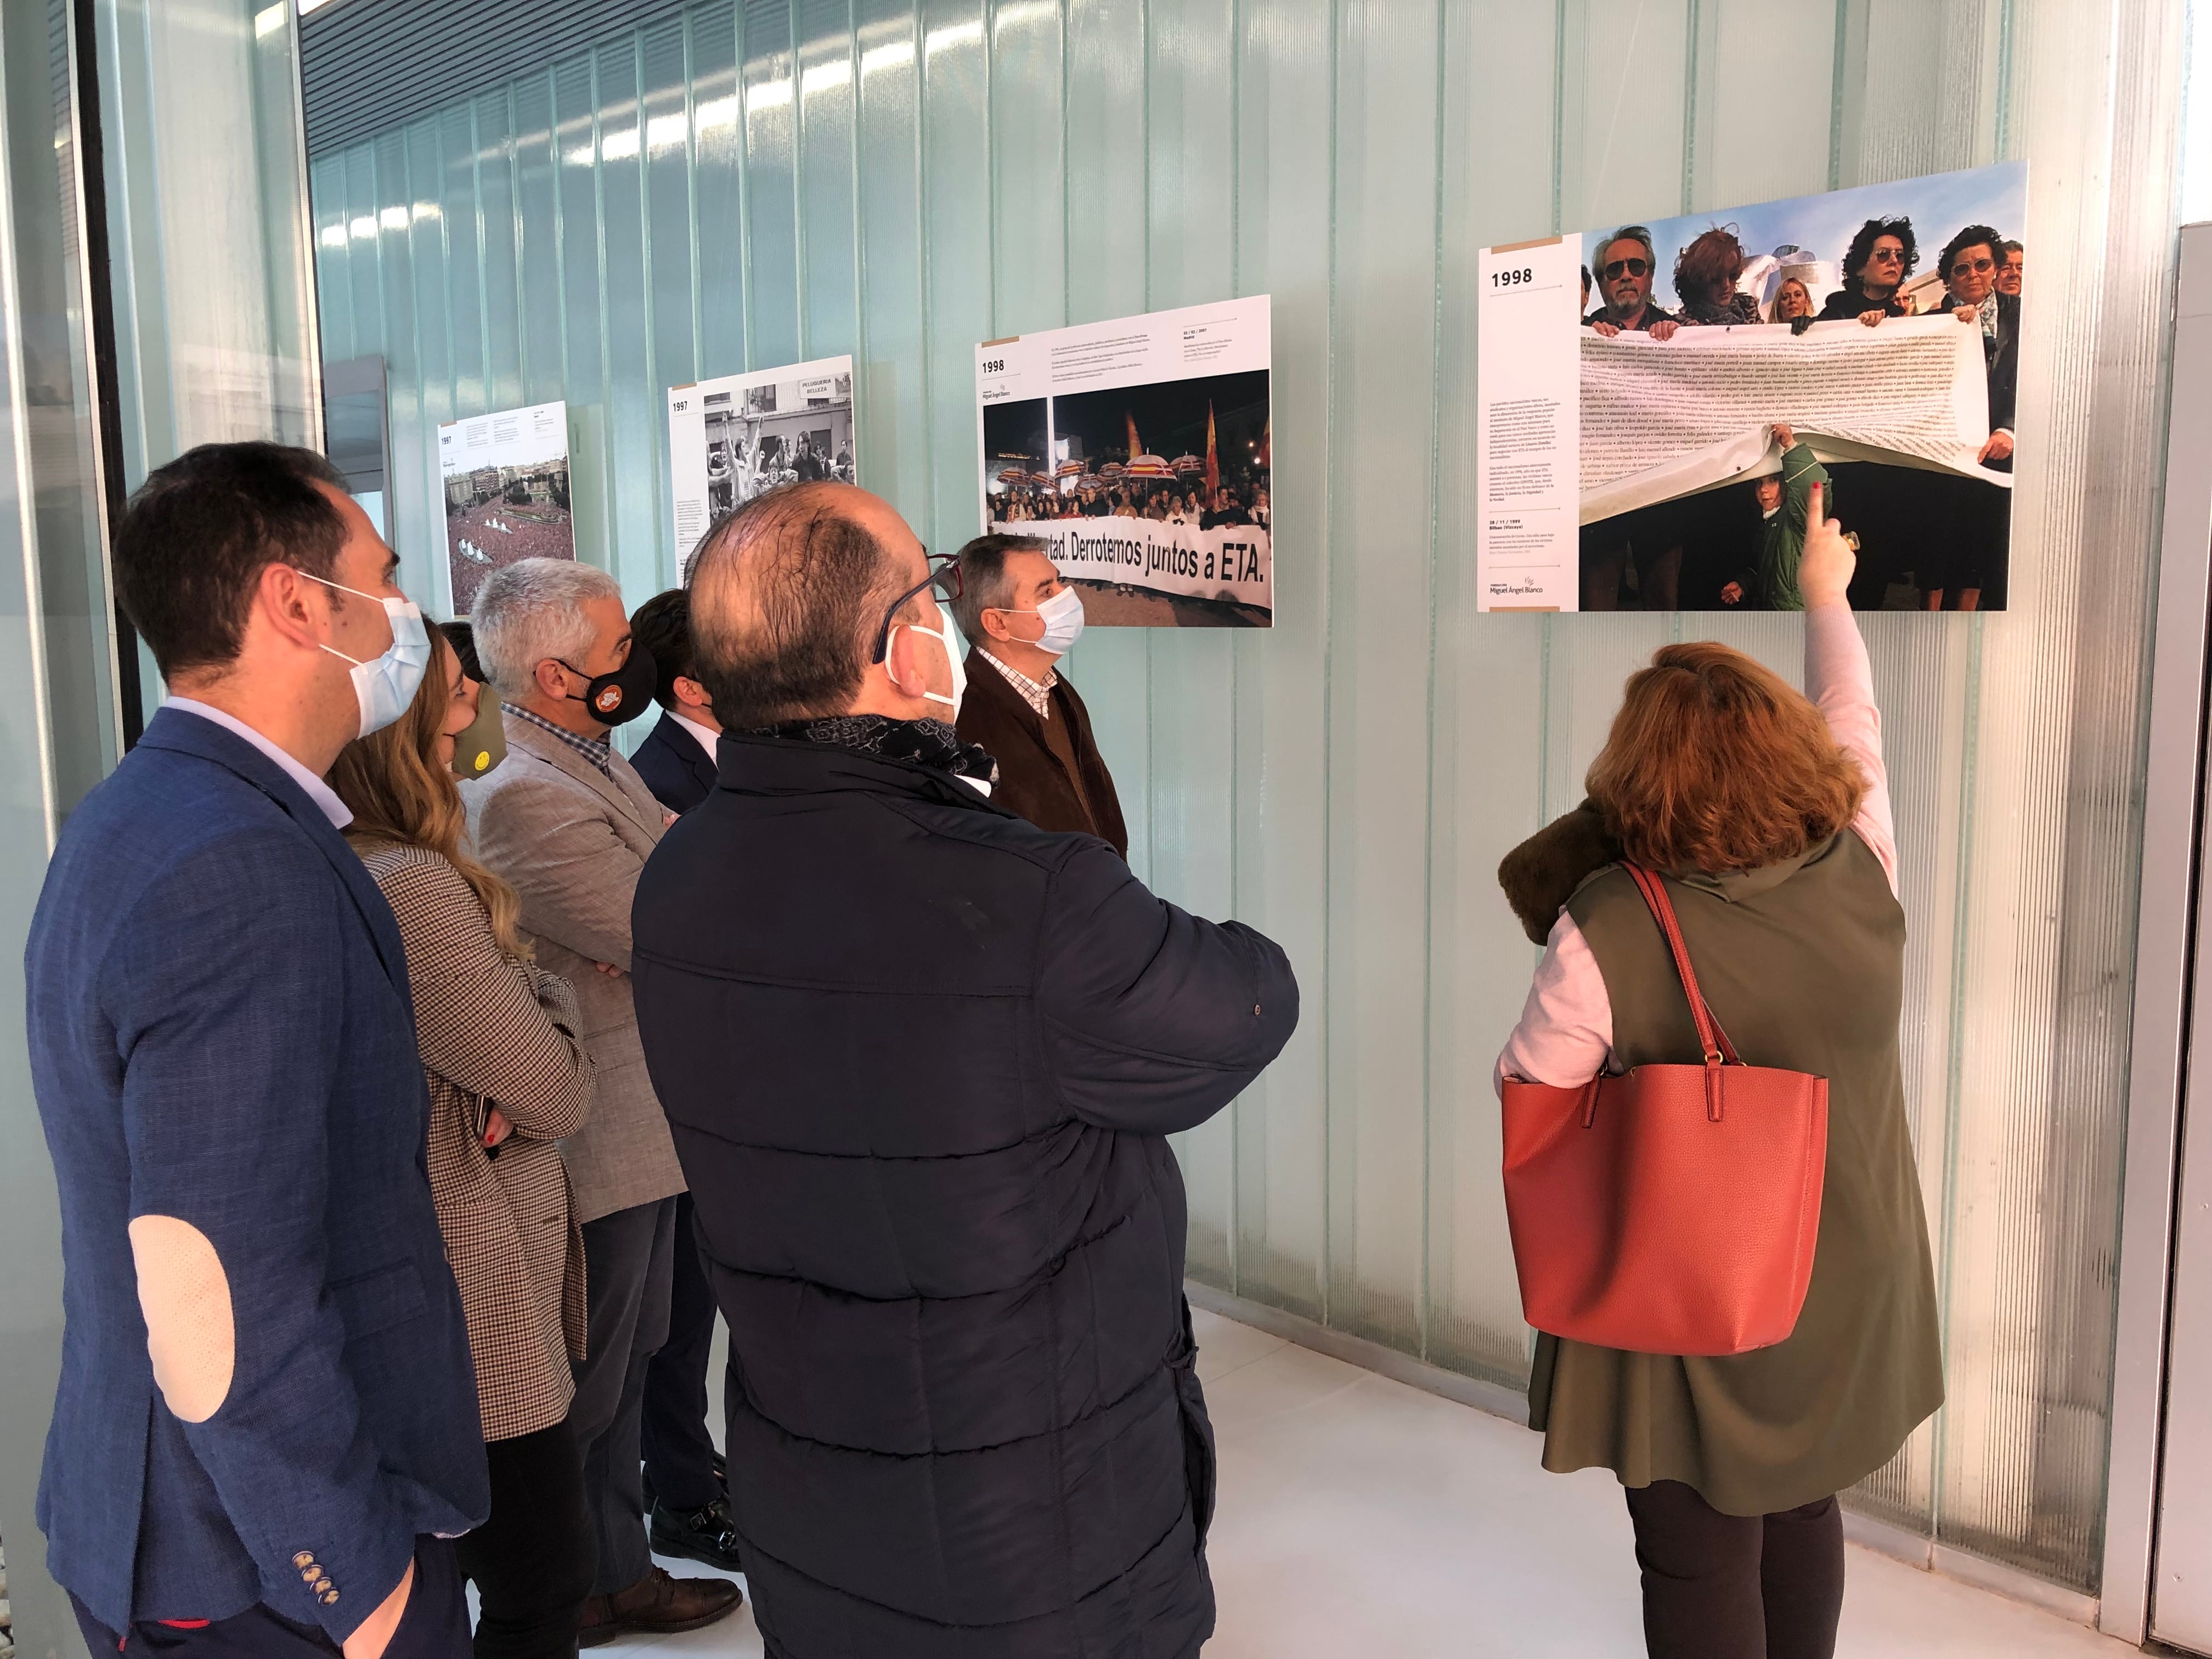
[{"x": 1718, "y": 764}]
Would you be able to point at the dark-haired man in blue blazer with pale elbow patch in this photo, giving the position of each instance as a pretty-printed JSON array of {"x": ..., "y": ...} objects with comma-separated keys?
[{"x": 267, "y": 1419}]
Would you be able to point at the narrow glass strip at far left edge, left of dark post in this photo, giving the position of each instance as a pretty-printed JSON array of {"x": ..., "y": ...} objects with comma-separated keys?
[{"x": 59, "y": 707}]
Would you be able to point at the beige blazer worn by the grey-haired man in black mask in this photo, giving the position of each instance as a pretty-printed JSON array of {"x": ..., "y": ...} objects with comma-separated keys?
[{"x": 574, "y": 844}]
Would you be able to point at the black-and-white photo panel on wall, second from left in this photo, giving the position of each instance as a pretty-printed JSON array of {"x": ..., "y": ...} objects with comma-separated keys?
[{"x": 740, "y": 435}]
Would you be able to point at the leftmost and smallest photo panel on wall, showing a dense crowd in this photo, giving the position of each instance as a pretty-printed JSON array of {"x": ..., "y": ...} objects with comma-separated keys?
[{"x": 505, "y": 483}]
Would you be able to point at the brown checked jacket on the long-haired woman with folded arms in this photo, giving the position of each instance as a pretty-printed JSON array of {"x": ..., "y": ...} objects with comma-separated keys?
[{"x": 499, "y": 1032}]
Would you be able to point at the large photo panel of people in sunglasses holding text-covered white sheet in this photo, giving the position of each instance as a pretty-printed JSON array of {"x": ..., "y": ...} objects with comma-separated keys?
[{"x": 1729, "y": 364}]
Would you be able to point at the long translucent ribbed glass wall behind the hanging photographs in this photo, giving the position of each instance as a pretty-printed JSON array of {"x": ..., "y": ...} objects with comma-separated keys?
[{"x": 758, "y": 180}]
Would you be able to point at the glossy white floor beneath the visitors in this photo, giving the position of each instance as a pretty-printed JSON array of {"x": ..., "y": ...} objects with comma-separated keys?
[{"x": 1368, "y": 1519}]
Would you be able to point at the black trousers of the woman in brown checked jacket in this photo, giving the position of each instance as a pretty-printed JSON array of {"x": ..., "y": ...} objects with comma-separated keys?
[{"x": 536, "y": 1556}]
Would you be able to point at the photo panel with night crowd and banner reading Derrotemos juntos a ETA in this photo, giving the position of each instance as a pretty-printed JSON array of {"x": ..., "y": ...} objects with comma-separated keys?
[{"x": 1154, "y": 488}]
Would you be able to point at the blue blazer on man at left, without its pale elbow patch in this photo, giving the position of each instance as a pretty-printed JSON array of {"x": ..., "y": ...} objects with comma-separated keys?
[{"x": 222, "y": 1034}]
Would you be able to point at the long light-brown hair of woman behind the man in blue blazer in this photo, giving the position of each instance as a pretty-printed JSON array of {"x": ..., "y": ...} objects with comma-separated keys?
[{"x": 404, "y": 795}]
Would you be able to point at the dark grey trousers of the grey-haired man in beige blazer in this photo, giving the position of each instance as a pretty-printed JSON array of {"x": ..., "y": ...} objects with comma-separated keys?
[{"x": 627, "y": 1262}]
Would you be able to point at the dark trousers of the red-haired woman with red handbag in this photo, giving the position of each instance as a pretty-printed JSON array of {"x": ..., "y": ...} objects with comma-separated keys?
[{"x": 1738, "y": 1587}]
